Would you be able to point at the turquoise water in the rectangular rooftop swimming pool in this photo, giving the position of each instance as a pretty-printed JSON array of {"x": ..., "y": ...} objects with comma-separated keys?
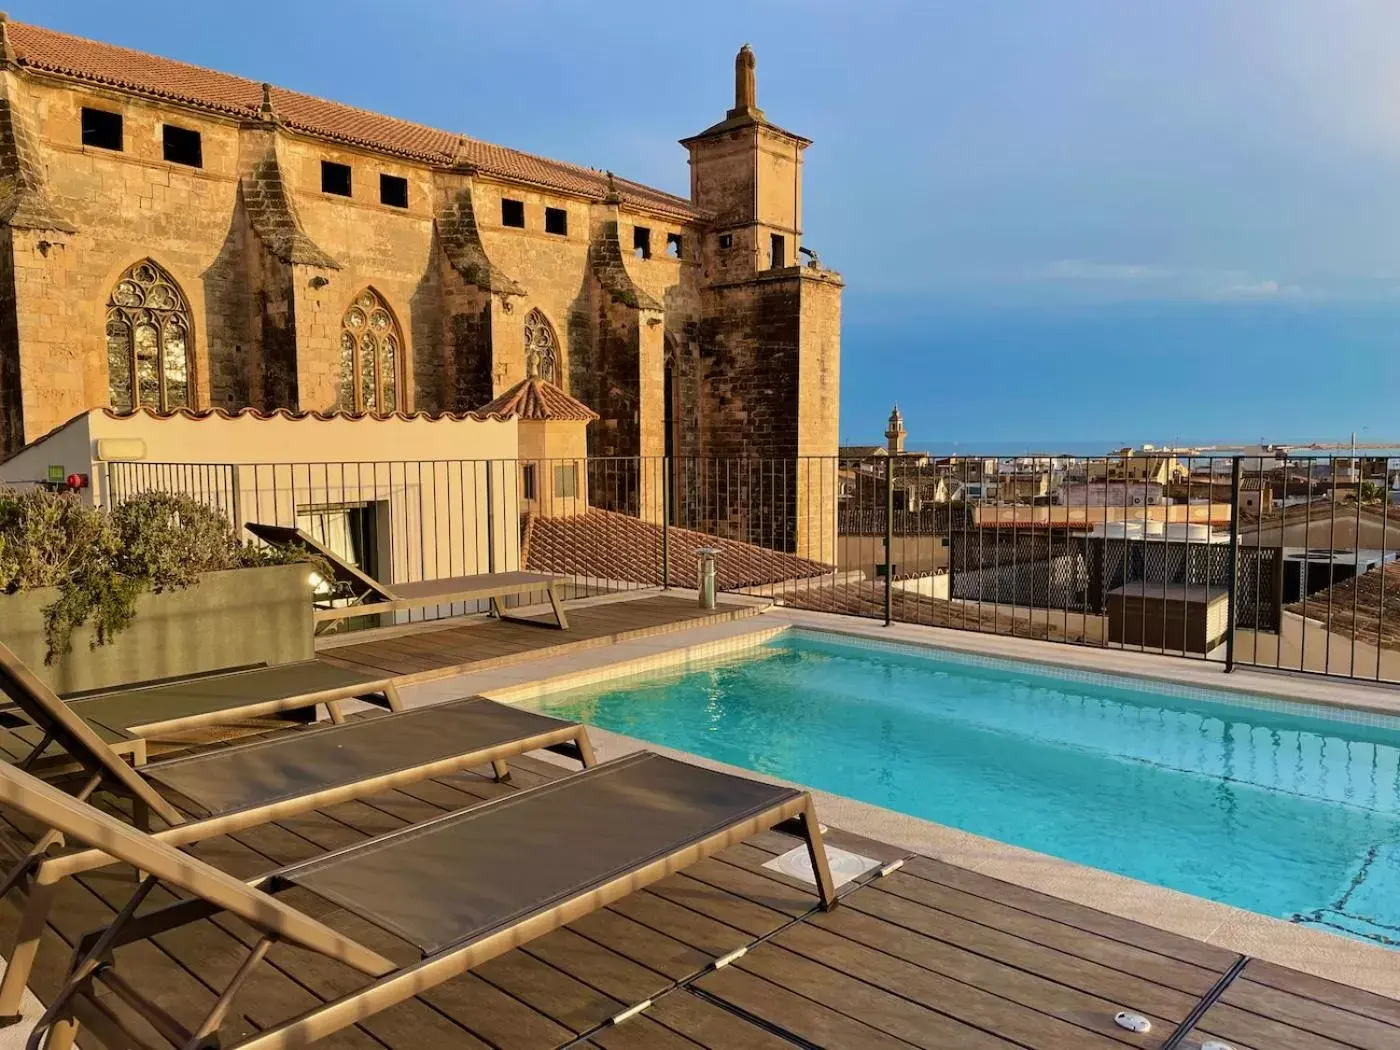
[{"x": 1276, "y": 811}]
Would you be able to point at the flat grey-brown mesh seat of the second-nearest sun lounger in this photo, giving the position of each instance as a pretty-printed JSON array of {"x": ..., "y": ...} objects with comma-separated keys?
[{"x": 300, "y": 764}]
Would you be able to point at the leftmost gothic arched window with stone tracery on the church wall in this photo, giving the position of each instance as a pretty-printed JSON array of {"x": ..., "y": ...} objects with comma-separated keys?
[{"x": 148, "y": 342}]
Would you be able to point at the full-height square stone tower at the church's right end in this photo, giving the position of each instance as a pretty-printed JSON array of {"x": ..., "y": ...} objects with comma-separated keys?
[{"x": 772, "y": 327}]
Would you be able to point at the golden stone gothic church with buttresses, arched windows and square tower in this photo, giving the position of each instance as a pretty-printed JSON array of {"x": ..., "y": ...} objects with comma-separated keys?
[{"x": 174, "y": 237}]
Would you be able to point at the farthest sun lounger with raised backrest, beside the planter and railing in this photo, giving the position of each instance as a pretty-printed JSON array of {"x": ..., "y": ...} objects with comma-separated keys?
[{"x": 369, "y": 596}]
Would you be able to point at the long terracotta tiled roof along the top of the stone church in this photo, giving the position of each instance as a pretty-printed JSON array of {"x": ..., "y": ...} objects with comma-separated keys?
[{"x": 149, "y": 75}]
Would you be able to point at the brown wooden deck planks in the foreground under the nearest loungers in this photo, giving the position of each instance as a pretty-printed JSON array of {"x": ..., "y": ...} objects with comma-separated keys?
[{"x": 927, "y": 957}]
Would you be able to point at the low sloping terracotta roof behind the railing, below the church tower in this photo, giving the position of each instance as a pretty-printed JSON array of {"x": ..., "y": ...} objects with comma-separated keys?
[{"x": 618, "y": 547}]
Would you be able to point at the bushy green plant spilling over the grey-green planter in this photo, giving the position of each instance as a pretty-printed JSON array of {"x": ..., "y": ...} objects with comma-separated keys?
[{"x": 103, "y": 562}]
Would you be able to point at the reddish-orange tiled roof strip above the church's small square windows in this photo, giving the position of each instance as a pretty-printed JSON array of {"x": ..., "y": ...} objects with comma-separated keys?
[{"x": 243, "y": 99}]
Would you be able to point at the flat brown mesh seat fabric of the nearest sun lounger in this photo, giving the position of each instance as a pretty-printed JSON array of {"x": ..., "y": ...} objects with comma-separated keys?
[{"x": 465, "y": 876}]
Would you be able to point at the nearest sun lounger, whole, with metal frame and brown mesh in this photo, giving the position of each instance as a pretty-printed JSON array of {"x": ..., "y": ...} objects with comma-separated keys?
[{"x": 458, "y": 891}]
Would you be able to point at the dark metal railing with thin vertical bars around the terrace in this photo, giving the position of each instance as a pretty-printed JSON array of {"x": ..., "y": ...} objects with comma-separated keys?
[{"x": 1248, "y": 561}]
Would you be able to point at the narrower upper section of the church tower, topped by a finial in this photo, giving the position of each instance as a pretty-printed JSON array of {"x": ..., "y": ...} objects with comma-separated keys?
[{"x": 750, "y": 173}]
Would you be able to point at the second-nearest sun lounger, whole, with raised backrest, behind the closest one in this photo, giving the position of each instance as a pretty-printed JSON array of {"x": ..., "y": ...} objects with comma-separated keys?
[{"x": 240, "y": 787}]
